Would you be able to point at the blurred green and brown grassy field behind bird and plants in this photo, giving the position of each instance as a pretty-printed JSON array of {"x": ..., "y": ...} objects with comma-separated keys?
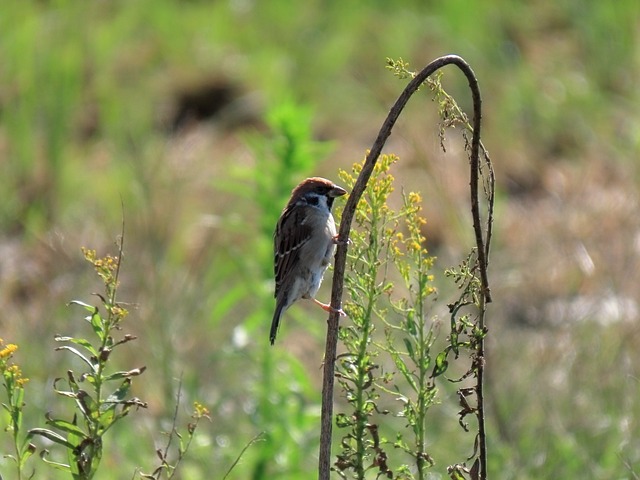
[{"x": 198, "y": 117}]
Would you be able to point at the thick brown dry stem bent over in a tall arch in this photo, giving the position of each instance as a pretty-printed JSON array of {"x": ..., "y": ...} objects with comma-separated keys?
[{"x": 345, "y": 228}]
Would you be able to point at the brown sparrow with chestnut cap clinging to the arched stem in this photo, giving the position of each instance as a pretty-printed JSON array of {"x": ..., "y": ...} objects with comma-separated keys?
[{"x": 304, "y": 242}]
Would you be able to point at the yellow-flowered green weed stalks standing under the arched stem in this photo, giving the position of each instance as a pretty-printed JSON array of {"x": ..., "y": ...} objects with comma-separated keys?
[{"x": 389, "y": 285}]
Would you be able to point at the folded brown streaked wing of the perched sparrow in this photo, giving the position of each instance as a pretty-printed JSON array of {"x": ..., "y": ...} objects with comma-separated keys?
[{"x": 290, "y": 236}]
